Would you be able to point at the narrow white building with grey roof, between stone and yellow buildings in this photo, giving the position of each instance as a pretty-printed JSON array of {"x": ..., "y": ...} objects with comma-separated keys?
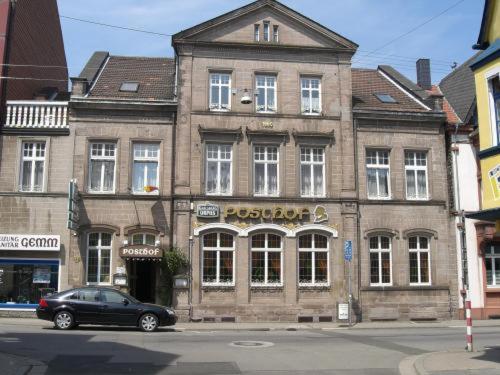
[{"x": 460, "y": 105}]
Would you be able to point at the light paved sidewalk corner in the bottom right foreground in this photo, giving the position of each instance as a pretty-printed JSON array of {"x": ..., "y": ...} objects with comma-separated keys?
[{"x": 484, "y": 362}]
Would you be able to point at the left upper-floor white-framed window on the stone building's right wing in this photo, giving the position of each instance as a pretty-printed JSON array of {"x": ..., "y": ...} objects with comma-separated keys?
[{"x": 378, "y": 174}]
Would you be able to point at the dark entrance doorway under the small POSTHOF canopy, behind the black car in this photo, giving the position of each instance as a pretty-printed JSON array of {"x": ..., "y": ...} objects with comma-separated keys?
[{"x": 143, "y": 280}]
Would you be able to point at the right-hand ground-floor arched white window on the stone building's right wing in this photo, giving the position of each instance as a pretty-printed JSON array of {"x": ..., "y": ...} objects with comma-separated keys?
[{"x": 420, "y": 264}]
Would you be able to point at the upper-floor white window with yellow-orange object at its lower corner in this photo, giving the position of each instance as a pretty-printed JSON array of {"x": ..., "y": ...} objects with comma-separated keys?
[{"x": 146, "y": 170}]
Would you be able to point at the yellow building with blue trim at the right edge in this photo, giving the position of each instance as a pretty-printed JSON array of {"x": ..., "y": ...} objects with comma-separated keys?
[{"x": 486, "y": 68}]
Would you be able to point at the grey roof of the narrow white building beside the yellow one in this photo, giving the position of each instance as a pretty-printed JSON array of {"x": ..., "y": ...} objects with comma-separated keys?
[{"x": 459, "y": 89}]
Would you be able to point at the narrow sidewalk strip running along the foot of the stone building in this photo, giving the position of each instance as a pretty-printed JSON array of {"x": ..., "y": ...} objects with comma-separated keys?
[{"x": 277, "y": 326}]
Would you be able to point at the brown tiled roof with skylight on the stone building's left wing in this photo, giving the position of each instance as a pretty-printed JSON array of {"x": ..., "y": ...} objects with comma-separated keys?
[{"x": 155, "y": 77}]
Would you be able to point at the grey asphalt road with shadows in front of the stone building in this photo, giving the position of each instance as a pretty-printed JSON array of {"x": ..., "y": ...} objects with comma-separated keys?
[{"x": 99, "y": 350}]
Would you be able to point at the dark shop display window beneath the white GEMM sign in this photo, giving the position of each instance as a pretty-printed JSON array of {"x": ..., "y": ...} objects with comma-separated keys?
[{"x": 24, "y": 282}]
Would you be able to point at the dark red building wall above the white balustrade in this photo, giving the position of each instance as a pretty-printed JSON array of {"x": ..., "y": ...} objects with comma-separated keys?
[{"x": 35, "y": 38}]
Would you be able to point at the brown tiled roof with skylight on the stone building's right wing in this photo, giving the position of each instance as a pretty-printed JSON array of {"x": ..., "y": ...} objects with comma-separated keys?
[{"x": 366, "y": 83}]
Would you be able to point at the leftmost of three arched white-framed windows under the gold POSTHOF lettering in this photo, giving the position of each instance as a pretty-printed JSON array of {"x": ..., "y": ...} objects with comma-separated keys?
[{"x": 218, "y": 259}]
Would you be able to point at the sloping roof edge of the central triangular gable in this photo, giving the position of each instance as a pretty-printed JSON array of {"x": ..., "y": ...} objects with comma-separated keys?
[{"x": 257, "y": 5}]
